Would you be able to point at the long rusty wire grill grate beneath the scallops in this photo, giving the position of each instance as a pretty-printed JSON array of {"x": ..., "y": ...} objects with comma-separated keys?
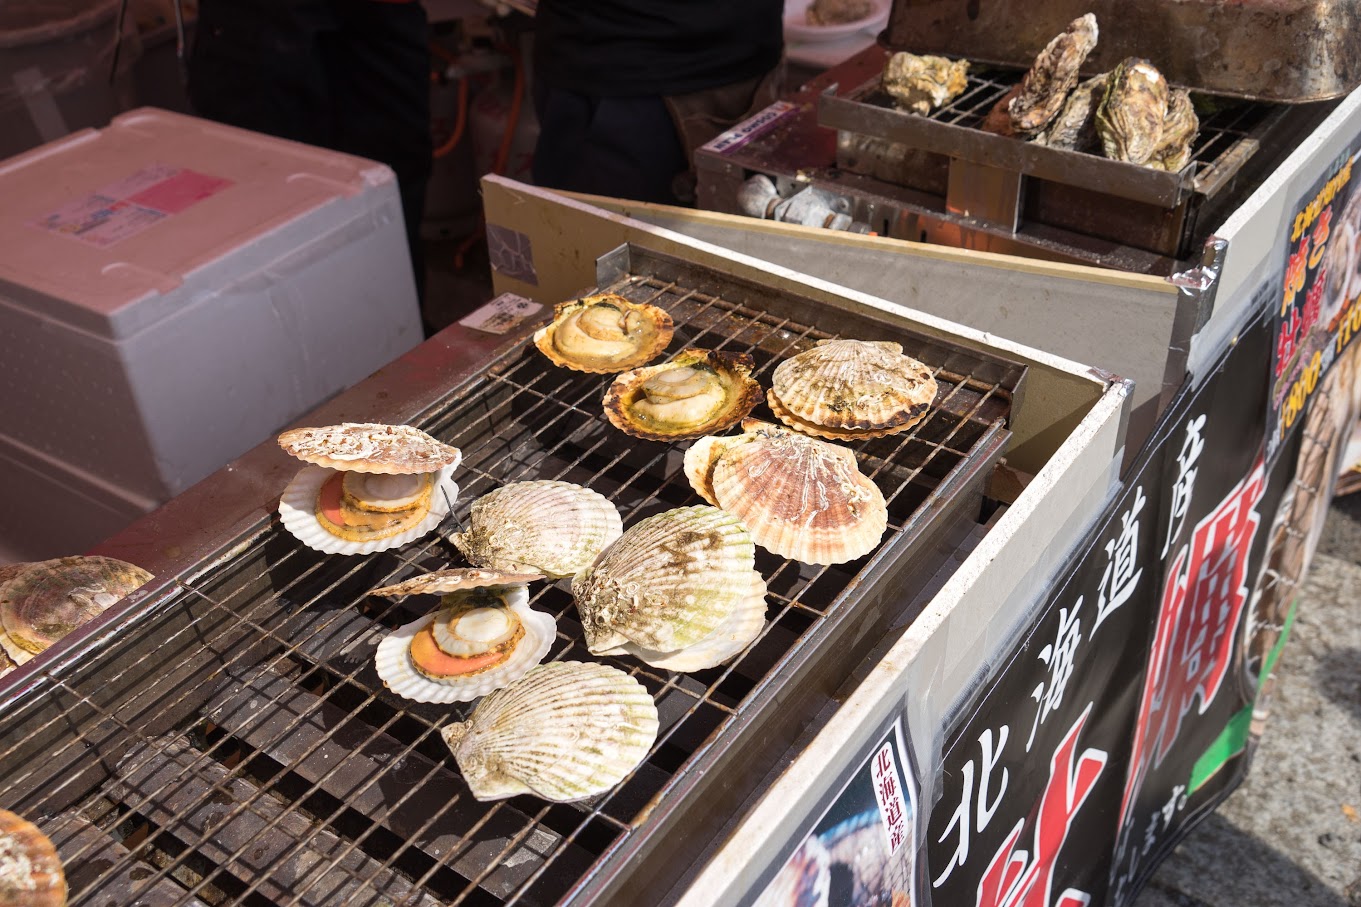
[{"x": 224, "y": 739}]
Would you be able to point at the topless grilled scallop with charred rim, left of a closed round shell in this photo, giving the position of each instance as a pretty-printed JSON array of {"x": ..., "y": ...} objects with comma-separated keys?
[{"x": 698, "y": 393}]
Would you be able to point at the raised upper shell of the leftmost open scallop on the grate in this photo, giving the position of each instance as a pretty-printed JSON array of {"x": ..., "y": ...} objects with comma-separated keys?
[{"x": 371, "y": 447}]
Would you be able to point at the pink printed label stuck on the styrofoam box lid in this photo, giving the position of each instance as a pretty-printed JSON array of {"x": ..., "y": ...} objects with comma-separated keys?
[{"x": 134, "y": 205}]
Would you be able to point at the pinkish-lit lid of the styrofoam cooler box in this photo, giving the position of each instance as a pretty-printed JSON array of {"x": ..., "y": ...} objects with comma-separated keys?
[{"x": 96, "y": 221}]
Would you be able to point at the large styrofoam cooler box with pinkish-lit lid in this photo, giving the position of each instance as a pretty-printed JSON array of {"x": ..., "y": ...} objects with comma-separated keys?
[{"x": 174, "y": 292}]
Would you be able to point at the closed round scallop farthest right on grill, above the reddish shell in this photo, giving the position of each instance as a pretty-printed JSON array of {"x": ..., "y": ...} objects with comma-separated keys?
[{"x": 855, "y": 386}]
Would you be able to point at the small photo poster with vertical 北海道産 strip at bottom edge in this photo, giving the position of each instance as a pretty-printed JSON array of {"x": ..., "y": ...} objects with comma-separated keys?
[{"x": 859, "y": 852}]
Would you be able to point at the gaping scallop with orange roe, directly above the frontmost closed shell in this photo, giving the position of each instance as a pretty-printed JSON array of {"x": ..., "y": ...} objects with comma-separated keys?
[{"x": 484, "y": 637}]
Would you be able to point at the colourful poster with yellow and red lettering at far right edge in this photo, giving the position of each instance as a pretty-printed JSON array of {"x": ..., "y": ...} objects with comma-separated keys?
[{"x": 1317, "y": 317}]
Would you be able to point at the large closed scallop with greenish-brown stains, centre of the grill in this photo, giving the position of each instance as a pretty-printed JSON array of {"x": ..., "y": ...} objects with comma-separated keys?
[{"x": 672, "y": 582}]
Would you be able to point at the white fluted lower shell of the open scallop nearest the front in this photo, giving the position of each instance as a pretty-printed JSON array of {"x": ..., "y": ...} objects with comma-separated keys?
[{"x": 401, "y": 676}]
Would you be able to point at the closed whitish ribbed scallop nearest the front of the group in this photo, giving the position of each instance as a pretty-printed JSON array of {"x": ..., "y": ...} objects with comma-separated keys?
[{"x": 564, "y": 732}]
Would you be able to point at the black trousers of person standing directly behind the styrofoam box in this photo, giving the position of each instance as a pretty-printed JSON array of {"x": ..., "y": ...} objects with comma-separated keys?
[{"x": 350, "y": 76}]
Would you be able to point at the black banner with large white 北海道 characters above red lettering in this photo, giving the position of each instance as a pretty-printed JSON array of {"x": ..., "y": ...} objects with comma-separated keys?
[{"x": 1032, "y": 777}]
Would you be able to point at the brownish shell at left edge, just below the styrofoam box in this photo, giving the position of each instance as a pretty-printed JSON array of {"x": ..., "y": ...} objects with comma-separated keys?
[{"x": 51, "y": 599}]
